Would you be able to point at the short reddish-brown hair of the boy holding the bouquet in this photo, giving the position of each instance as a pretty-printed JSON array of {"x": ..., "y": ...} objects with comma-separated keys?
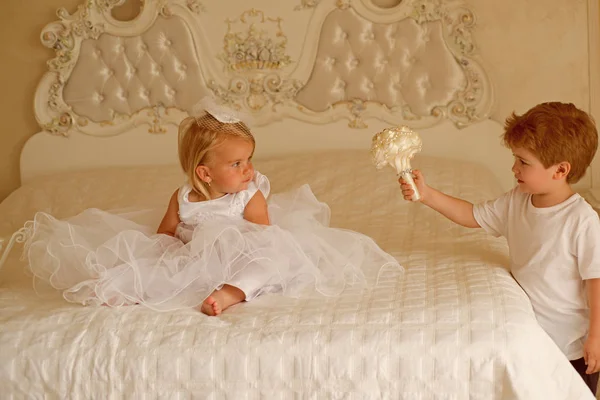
[{"x": 555, "y": 132}]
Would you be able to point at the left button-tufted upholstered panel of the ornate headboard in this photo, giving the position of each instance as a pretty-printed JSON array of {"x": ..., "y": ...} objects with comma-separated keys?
[{"x": 127, "y": 78}]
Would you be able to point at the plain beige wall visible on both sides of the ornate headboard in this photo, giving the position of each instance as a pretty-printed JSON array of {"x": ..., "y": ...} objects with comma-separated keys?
[{"x": 535, "y": 51}]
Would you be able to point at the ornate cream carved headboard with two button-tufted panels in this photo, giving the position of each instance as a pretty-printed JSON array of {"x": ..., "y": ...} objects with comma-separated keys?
[{"x": 313, "y": 74}]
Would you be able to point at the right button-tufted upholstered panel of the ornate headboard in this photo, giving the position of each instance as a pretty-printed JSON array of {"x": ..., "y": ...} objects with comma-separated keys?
[{"x": 422, "y": 53}]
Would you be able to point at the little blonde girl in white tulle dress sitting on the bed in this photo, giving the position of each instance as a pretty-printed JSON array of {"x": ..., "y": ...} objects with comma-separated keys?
[{"x": 218, "y": 244}]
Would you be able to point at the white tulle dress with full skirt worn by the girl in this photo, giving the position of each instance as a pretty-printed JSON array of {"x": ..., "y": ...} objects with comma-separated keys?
[{"x": 99, "y": 257}]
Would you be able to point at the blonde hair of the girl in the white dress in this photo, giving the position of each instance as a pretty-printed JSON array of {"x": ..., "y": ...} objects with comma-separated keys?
[{"x": 197, "y": 137}]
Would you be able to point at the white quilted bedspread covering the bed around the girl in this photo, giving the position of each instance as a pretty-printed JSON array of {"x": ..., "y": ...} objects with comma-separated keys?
[{"x": 454, "y": 326}]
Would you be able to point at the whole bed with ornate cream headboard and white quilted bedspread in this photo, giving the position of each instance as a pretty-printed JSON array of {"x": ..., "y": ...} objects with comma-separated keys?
[{"x": 453, "y": 325}]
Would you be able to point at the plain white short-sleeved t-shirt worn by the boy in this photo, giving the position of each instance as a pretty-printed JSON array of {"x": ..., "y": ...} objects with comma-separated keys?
[{"x": 552, "y": 251}]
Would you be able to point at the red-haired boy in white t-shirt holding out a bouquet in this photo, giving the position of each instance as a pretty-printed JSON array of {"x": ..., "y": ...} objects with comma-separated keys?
[{"x": 553, "y": 234}]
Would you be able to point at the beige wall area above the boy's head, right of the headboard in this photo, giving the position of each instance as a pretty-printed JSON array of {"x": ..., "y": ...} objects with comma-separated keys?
[{"x": 535, "y": 50}]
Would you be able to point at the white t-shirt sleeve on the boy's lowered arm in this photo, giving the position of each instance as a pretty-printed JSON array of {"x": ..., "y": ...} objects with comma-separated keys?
[{"x": 587, "y": 249}]
